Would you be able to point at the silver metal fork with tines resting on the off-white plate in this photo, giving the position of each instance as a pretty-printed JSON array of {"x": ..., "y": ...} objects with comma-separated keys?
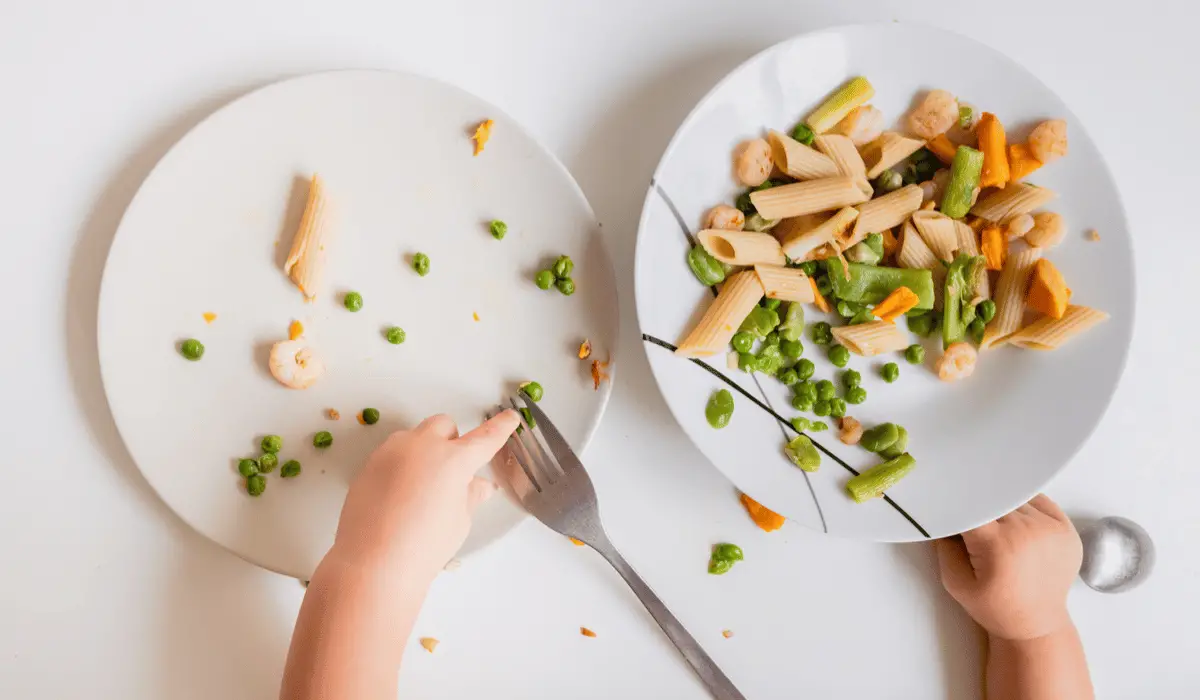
[{"x": 555, "y": 488}]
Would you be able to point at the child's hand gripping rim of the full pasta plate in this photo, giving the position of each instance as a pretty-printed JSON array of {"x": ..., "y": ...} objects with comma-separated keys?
[{"x": 1012, "y": 576}]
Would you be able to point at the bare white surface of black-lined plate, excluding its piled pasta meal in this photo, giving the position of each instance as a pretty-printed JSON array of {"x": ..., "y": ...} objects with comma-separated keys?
[{"x": 983, "y": 446}]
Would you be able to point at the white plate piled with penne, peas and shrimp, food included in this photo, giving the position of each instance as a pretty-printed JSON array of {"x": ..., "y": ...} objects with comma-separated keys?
[{"x": 885, "y": 282}]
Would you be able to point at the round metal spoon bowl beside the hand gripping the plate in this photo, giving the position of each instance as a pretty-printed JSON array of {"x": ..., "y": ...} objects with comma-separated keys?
[{"x": 1119, "y": 555}]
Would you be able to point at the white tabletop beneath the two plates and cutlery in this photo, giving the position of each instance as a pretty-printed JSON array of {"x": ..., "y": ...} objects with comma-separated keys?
[{"x": 105, "y": 594}]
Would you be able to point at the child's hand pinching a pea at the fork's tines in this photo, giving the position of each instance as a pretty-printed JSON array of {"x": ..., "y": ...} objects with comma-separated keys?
[{"x": 411, "y": 506}]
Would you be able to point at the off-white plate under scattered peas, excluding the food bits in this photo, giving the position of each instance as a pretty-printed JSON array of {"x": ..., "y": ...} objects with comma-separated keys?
[{"x": 208, "y": 232}]
